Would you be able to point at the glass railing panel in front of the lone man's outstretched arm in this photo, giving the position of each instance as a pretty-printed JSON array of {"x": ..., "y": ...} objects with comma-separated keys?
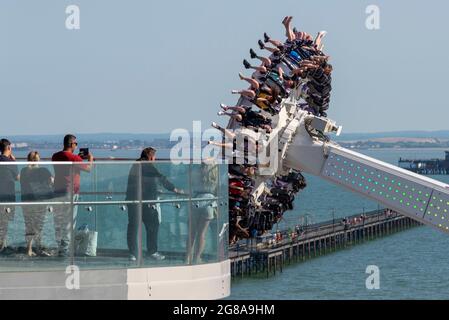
[{"x": 165, "y": 223}]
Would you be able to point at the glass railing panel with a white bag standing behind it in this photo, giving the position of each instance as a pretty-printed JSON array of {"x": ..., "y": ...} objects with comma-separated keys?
[{"x": 103, "y": 216}]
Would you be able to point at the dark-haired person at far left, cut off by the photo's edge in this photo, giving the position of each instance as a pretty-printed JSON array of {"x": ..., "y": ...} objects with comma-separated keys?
[{"x": 9, "y": 174}]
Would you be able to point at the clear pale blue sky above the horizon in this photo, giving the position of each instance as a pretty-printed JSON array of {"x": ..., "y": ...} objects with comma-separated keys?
[{"x": 141, "y": 66}]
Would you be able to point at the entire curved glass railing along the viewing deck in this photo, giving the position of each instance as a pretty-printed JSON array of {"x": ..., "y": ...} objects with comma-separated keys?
[{"x": 87, "y": 215}]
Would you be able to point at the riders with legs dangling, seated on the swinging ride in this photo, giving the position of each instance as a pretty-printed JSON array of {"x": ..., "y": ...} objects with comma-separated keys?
[{"x": 295, "y": 64}]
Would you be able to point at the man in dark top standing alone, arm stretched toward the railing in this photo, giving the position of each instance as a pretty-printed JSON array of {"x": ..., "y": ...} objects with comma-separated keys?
[{"x": 150, "y": 179}]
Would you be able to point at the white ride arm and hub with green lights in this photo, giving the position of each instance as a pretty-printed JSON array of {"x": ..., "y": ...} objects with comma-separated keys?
[{"x": 302, "y": 145}]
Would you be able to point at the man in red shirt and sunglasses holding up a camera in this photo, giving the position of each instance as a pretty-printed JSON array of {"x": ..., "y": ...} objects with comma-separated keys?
[{"x": 67, "y": 187}]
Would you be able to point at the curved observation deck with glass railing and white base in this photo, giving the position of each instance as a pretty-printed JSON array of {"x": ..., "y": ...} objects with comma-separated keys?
[{"x": 97, "y": 228}]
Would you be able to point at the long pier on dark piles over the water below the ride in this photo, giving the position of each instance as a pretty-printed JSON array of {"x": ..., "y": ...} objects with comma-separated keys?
[{"x": 268, "y": 258}]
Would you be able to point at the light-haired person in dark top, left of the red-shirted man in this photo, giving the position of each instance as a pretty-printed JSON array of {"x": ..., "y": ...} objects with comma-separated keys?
[{"x": 36, "y": 184}]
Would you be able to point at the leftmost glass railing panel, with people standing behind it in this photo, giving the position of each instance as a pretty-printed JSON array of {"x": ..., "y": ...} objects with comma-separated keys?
[{"x": 36, "y": 216}]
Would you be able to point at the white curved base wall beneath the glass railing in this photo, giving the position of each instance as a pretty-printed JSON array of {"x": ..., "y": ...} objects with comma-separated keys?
[{"x": 208, "y": 281}]
